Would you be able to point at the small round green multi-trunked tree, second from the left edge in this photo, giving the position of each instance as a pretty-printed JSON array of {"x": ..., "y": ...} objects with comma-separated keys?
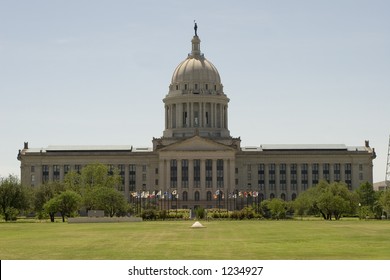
[{"x": 66, "y": 203}]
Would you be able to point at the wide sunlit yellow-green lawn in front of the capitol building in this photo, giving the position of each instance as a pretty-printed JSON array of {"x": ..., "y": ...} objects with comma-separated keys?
[{"x": 175, "y": 240}]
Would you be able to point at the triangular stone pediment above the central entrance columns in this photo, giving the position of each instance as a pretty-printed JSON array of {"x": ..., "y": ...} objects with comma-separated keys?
[{"x": 197, "y": 143}]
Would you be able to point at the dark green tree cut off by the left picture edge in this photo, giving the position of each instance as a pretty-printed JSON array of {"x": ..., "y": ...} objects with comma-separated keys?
[{"x": 14, "y": 198}]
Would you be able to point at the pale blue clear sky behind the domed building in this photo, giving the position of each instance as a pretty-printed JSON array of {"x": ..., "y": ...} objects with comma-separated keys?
[{"x": 95, "y": 72}]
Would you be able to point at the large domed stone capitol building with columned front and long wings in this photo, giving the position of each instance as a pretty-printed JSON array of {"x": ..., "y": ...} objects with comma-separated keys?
[{"x": 197, "y": 160}]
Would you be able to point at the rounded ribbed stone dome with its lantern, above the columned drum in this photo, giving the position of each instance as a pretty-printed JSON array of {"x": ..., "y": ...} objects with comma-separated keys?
[{"x": 196, "y": 69}]
